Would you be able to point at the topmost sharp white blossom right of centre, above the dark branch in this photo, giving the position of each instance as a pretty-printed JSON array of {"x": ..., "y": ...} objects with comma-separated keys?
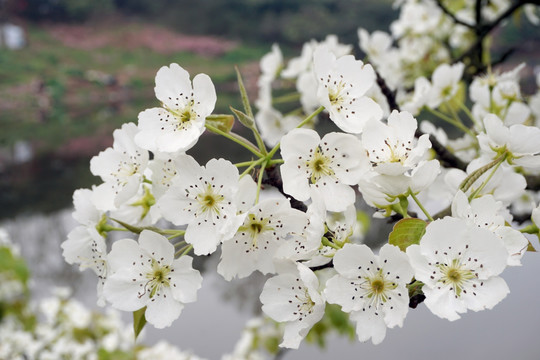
[{"x": 343, "y": 83}]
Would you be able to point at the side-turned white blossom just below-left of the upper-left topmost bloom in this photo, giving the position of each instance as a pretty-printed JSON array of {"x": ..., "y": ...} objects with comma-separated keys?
[{"x": 121, "y": 168}]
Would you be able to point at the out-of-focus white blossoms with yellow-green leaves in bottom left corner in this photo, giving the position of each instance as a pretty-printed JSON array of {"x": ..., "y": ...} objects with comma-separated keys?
[{"x": 60, "y": 327}]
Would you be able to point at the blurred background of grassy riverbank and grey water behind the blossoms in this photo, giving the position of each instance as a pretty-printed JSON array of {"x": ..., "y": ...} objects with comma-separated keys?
[{"x": 72, "y": 71}]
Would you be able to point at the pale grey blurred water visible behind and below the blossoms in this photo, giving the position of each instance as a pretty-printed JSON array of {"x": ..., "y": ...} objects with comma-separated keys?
[{"x": 211, "y": 326}]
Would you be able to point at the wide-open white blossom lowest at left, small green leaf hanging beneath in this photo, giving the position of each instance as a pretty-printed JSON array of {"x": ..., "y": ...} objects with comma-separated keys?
[{"x": 145, "y": 273}]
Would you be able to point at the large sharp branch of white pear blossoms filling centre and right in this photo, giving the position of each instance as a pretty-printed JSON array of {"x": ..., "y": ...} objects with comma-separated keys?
[{"x": 294, "y": 217}]
